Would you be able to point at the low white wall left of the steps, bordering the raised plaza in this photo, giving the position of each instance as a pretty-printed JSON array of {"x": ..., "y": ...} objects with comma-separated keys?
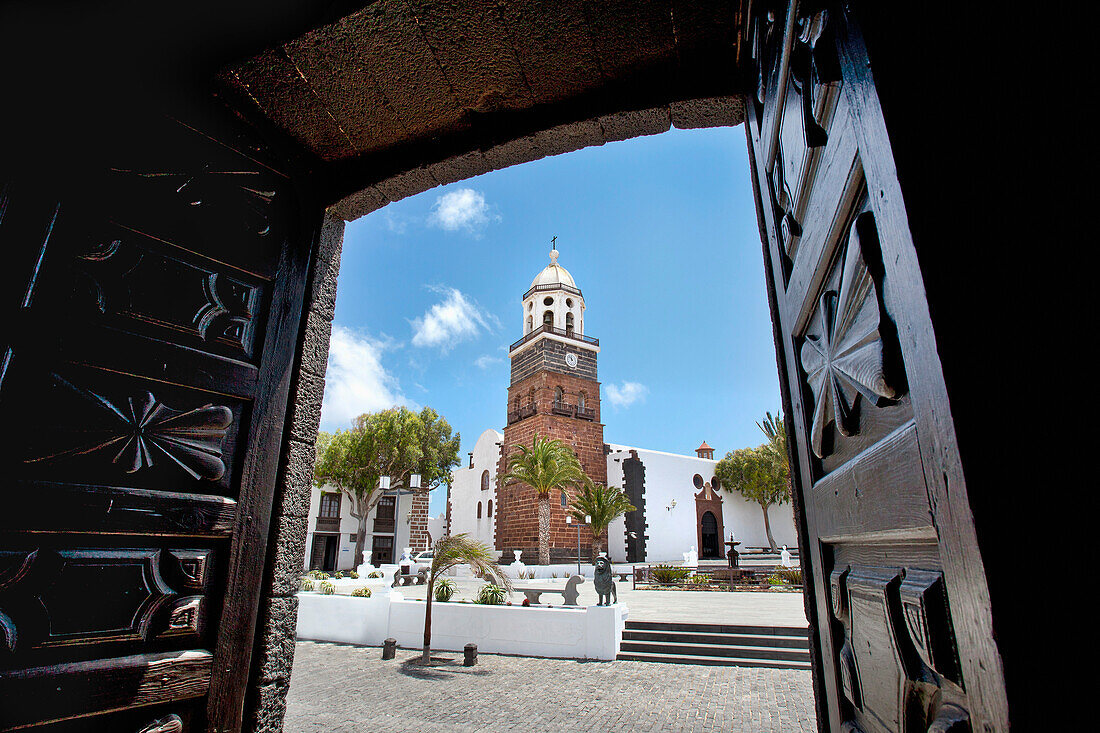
[{"x": 582, "y": 633}]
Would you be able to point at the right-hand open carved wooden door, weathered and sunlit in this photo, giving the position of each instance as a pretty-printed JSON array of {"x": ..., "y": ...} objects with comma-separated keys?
[{"x": 896, "y": 589}]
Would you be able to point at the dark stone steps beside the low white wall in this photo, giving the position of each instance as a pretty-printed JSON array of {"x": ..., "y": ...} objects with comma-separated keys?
[{"x": 782, "y": 648}]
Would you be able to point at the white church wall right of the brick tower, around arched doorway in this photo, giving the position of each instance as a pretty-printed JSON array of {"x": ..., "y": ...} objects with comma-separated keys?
[{"x": 673, "y": 532}]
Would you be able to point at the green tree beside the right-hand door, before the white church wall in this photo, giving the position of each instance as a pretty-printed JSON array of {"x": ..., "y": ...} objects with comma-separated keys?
[{"x": 761, "y": 475}]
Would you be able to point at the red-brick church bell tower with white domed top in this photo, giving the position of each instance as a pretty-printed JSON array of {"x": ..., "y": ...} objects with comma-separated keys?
[{"x": 554, "y": 393}]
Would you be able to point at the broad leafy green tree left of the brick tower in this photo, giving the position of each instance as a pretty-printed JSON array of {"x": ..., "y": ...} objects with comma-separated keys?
[{"x": 397, "y": 443}]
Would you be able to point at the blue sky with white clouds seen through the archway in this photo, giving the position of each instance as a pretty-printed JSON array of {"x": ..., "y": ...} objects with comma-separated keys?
[{"x": 661, "y": 235}]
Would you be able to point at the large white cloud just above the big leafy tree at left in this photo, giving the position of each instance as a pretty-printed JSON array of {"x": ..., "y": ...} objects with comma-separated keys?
[{"x": 357, "y": 381}]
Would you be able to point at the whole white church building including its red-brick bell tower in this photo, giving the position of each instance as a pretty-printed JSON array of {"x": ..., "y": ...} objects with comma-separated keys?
[{"x": 555, "y": 392}]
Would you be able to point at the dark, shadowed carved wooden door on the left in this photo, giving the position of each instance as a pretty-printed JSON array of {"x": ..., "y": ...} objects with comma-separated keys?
[{"x": 150, "y": 331}]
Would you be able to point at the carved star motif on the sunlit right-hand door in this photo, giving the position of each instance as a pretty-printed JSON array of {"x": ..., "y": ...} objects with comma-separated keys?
[{"x": 843, "y": 353}]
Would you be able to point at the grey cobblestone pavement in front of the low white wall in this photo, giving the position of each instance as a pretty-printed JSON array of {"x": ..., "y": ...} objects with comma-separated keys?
[{"x": 338, "y": 688}]
